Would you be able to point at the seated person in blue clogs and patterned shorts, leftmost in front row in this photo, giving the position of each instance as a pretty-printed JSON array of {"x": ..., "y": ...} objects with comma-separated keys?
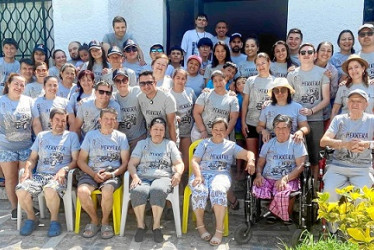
[{"x": 54, "y": 152}]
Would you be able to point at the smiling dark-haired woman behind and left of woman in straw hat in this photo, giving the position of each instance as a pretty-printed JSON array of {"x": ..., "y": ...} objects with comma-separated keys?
[{"x": 346, "y": 41}]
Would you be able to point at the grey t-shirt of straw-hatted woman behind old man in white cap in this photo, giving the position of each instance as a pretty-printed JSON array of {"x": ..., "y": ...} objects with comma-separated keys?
[{"x": 342, "y": 96}]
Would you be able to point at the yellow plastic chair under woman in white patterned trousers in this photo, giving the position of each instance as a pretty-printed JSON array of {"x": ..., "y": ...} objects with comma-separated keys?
[{"x": 187, "y": 195}]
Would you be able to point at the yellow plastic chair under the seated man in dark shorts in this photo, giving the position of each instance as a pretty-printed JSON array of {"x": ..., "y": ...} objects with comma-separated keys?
[{"x": 116, "y": 209}]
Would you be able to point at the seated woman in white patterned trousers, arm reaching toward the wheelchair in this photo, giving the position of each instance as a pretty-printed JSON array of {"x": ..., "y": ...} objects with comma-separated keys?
[{"x": 211, "y": 176}]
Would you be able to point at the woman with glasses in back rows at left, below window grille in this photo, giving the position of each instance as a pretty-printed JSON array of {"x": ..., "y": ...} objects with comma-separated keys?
[{"x": 35, "y": 89}]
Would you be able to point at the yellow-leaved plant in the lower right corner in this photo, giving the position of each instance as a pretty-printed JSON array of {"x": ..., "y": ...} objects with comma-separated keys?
[{"x": 354, "y": 214}]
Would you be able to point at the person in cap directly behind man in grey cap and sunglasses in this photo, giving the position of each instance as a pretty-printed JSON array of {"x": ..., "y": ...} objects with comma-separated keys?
[{"x": 115, "y": 58}]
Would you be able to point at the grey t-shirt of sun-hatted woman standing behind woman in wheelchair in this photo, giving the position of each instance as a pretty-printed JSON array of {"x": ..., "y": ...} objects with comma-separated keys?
[{"x": 292, "y": 110}]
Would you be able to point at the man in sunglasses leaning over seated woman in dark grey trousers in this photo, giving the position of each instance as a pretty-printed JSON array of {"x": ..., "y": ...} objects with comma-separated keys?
[{"x": 156, "y": 103}]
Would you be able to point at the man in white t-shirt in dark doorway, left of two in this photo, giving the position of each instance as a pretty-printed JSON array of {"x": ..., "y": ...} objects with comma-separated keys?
[{"x": 192, "y": 37}]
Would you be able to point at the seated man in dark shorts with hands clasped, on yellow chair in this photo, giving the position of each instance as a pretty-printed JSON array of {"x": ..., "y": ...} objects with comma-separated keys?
[{"x": 103, "y": 158}]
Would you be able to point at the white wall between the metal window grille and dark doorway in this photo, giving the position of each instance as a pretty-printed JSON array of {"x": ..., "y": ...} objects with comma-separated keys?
[{"x": 85, "y": 20}]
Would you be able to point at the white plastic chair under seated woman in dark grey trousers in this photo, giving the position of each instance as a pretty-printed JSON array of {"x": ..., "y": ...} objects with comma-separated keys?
[{"x": 172, "y": 197}]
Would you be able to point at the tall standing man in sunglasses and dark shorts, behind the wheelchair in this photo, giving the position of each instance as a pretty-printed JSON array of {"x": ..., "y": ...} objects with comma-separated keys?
[{"x": 312, "y": 91}]
